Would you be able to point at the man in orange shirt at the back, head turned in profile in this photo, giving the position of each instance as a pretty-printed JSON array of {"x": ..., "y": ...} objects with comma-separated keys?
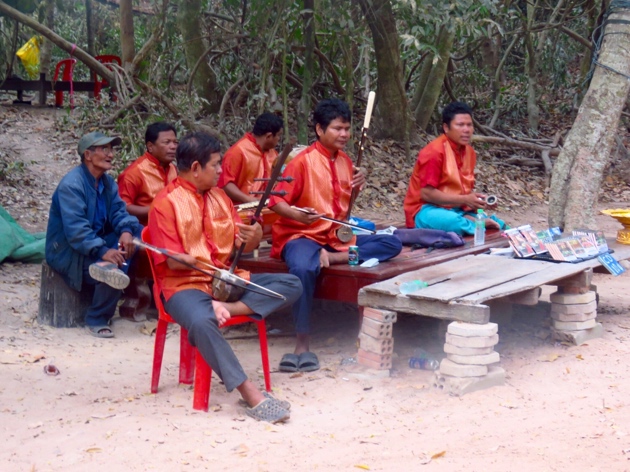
[{"x": 251, "y": 158}]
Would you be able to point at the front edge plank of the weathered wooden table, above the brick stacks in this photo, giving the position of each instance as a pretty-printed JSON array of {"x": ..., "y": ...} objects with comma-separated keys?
[{"x": 479, "y": 314}]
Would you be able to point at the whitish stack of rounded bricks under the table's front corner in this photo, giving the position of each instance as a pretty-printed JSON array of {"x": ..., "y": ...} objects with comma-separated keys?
[{"x": 469, "y": 349}]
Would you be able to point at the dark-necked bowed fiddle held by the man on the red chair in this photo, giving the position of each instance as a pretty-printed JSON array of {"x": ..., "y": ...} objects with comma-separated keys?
[{"x": 233, "y": 290}]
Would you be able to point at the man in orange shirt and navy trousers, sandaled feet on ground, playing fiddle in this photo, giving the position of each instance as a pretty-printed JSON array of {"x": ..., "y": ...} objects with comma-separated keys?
[{"x": 323, "y": 181}]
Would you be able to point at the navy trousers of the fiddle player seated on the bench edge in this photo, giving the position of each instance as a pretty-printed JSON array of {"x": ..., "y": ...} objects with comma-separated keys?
[{"x": 302, "y": 257}]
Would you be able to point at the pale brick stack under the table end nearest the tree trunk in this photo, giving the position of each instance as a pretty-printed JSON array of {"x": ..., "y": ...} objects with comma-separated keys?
[{"x": 574, "y": 315}]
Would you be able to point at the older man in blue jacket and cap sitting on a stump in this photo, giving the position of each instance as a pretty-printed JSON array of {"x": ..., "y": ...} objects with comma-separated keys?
[{"x": 89, "y": 237}]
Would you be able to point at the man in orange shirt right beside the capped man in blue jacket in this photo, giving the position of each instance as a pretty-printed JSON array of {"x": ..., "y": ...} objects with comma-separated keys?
[{"x": 139, "y": 183}]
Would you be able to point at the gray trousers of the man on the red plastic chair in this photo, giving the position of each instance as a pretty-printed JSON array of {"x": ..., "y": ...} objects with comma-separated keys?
[{"x": 192, "y": 309}]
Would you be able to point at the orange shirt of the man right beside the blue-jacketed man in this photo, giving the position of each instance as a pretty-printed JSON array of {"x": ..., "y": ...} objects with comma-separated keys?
[{"x": 139, "y": 183}]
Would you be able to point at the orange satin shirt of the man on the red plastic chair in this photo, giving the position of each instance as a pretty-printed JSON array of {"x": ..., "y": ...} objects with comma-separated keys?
[{"x": 204, "y": 226}]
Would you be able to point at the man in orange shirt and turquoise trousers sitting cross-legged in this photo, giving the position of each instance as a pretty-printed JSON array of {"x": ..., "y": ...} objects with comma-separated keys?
[{"x": 440, "y": 193}]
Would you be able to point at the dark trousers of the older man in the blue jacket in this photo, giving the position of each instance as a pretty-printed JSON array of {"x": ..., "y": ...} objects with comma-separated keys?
[{"x": 105, "y": 298}]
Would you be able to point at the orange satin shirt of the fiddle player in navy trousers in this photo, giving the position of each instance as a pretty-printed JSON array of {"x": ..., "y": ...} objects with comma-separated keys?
[{"x": 322, "y": 183}]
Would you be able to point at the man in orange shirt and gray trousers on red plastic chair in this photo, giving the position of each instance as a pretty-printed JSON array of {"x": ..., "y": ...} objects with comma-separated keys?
[{"x": 196, "y": 220}]
